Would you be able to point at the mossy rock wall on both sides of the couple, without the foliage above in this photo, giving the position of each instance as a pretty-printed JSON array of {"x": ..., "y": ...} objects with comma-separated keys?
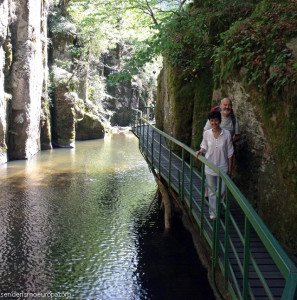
[{"x": 182, "y": 112}]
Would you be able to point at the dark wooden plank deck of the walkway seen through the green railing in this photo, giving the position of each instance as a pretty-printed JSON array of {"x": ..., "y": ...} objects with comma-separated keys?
[{"x": 262, "y": 270}]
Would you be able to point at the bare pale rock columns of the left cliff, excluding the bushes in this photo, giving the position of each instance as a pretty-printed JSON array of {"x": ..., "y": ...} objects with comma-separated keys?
[{"x": 26, "y": 115}]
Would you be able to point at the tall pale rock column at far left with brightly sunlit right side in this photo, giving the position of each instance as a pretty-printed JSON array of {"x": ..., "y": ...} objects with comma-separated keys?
[{"x": 26, "y": 80}]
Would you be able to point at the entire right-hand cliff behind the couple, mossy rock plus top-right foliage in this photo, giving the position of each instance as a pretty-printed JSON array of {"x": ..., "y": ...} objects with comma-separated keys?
[{"x": 265, "y": 158}]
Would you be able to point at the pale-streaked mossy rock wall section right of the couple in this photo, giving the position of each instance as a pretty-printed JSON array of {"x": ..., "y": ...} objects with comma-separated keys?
[{"x": 258, "y": 172}]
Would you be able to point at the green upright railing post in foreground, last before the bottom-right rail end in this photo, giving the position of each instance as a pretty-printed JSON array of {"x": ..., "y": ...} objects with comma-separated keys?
[{"x": 246, "y": 260}]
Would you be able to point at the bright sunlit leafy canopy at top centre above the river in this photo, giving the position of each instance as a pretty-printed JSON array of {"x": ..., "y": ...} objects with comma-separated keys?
[{"x": 103, "y": 24}]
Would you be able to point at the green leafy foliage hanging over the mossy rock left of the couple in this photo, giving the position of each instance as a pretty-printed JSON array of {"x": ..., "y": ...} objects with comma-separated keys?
[{"x": 190, "y": 38}]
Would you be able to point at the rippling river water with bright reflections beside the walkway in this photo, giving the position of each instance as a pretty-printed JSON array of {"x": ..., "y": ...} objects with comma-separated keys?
[{"x": 76, "y": 220}]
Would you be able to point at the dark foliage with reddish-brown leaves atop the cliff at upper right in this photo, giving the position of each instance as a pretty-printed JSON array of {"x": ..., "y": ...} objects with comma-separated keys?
[{"x": 258, "y": 45}]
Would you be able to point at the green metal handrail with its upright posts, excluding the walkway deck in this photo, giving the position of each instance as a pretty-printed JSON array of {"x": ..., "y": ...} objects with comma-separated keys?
[{"x": 252, "y": 220}]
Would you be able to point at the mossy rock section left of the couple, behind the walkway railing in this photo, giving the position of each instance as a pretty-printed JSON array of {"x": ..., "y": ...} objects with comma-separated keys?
[{"x": 182, "y": 106}]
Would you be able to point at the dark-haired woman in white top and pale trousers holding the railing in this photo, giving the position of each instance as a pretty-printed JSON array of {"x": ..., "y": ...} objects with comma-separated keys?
[{"x": 218, "y": 148}]
